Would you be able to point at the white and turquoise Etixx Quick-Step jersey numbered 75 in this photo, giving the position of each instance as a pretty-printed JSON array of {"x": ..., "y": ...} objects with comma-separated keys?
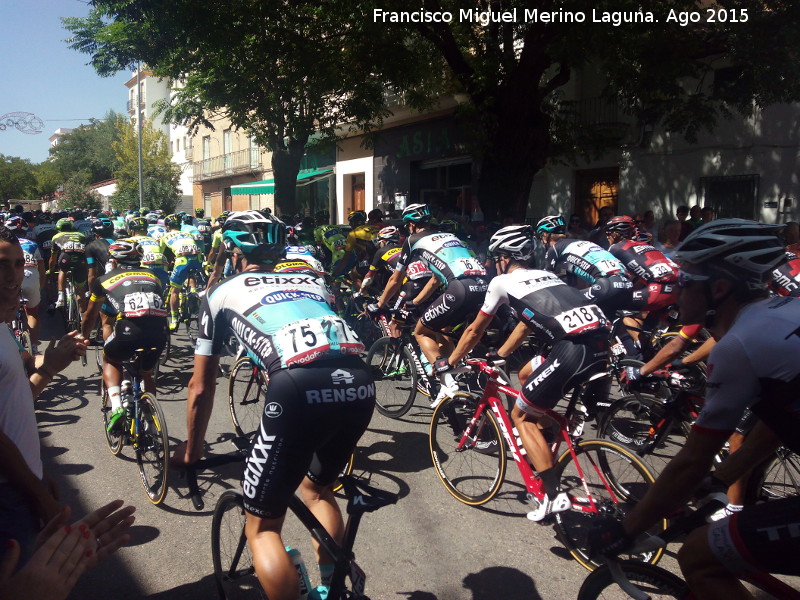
[{"x": 281, "y": 320}]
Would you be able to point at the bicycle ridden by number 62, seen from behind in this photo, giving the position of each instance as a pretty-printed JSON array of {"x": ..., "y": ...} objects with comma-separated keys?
[{"x": 144, "y": 427}]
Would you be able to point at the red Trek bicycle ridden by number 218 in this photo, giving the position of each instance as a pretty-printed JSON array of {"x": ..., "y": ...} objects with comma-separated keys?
[{"x": 469, "y": 457}]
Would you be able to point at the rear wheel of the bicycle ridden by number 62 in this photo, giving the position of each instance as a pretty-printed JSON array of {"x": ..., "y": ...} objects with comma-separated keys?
[{"x": 152, "y": 449}]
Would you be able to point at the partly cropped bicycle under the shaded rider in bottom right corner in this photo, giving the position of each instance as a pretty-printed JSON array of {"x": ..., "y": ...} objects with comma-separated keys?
[{"x": 627, "y": 579}]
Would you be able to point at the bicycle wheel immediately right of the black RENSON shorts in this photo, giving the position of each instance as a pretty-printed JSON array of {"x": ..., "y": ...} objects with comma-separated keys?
[{"x": 392, "y": 366}]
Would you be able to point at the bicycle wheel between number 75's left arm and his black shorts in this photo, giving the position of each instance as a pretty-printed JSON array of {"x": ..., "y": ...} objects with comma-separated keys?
[{"x": 247, "y": 391}]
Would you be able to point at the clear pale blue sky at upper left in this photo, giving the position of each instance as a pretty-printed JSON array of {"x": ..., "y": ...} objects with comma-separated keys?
[{"x": 40, "y": 74}]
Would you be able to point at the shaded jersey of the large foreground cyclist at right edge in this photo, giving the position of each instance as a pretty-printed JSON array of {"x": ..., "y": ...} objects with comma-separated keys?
[{"x": 756, "y": 360}]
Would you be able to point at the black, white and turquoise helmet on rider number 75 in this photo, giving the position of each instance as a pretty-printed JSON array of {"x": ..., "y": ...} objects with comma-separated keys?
[{"x": 258, "y": 237}]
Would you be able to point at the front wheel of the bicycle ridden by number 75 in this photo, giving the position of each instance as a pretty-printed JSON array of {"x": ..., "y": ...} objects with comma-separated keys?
[{"x": 234, "y": 574}]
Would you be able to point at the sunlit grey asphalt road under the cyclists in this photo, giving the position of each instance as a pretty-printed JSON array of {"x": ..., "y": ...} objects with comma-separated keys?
[{"x": 426, "y": 547}]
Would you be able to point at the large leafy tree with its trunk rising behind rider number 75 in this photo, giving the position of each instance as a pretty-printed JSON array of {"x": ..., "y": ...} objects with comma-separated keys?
[{"x": 279, "y": 70}]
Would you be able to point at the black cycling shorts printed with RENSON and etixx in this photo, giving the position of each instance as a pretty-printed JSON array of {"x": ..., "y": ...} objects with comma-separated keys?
[{"x": 313, "y": 417}]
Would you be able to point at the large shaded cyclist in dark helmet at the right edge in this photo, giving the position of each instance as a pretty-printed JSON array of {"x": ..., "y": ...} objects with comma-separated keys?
[{"x": 725, "y": 266}]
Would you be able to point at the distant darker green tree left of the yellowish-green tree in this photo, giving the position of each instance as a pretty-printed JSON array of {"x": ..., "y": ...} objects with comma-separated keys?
[{"x": 87, "y": 149}]
